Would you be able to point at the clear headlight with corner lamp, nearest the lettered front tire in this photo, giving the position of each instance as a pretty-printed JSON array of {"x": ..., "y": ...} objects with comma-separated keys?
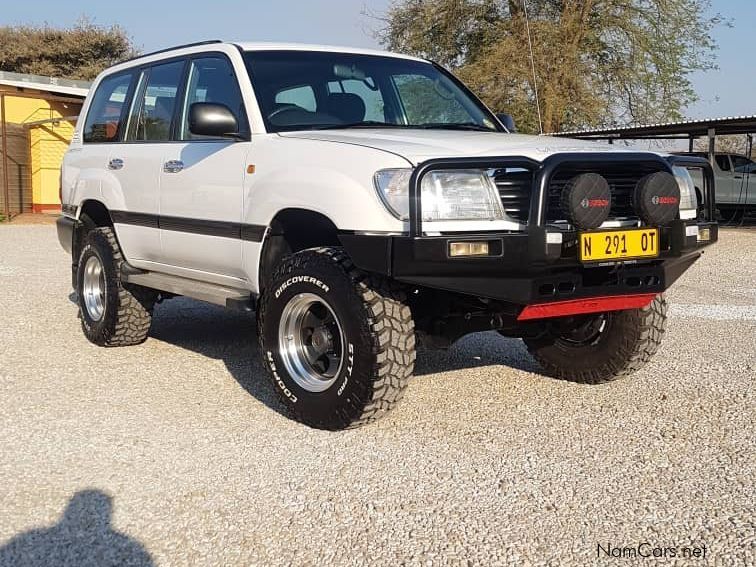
[{"x": 458, "y": 194}]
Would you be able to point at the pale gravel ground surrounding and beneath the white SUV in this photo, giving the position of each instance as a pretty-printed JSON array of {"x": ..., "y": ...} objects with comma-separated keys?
[{"x": 177, "y": 453}]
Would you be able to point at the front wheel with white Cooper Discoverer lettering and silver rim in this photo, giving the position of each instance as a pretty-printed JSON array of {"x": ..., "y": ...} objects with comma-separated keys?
[{"x": 338, "y": 343}]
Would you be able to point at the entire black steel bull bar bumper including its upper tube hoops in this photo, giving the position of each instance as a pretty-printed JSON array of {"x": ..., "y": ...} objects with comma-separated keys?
[{"x": 538, "y": 265}]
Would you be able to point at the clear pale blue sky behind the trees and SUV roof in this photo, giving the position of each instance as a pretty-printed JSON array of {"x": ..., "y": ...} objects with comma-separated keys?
[{"x": 161, "y": 23}]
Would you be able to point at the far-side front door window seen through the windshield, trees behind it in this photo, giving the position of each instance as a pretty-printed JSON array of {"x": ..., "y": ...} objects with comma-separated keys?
[{"x": 426, "y": 101}]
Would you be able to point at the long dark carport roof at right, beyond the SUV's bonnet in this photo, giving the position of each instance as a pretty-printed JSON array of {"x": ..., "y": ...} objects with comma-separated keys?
[{"x": 689, "y": 128}]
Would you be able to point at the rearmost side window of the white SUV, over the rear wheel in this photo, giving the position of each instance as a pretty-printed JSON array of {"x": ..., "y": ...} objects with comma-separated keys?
[{"x": 105, "y": 115}]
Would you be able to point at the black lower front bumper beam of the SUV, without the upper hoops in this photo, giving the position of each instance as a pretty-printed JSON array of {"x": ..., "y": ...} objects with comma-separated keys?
[{"x": 526, "y": 270}]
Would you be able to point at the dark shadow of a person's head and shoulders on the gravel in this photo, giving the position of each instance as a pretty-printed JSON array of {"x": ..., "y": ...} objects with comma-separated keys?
[{"x": 84, "y": 537}]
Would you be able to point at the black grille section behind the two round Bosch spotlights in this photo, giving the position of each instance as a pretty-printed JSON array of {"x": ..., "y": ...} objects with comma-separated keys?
[{"x": 622, "y": 181}]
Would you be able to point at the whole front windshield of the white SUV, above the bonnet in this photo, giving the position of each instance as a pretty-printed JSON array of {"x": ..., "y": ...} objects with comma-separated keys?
[{"x": 307, "y": 90}]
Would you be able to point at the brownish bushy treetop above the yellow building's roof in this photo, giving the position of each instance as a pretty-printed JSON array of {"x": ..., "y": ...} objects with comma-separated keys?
[{"x": 79, "y": 52}]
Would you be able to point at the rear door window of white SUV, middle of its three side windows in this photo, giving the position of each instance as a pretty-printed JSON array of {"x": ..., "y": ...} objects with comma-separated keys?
[{"x": 154, "y": 103}]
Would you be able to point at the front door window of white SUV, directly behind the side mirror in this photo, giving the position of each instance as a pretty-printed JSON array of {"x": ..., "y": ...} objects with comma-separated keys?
[{"x": 212, "y": 79}]
